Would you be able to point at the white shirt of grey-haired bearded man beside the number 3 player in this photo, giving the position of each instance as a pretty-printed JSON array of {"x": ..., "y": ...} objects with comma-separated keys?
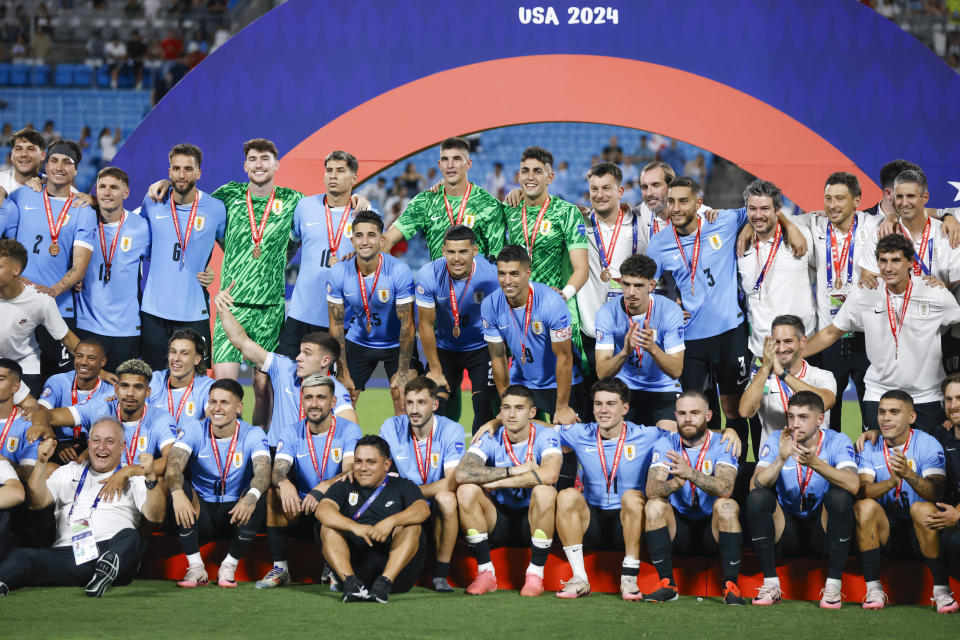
[{"x": 786, "y": 288}]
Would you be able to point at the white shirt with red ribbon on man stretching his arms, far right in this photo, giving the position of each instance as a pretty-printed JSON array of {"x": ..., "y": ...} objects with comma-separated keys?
[{"x": 916, "y": 366}]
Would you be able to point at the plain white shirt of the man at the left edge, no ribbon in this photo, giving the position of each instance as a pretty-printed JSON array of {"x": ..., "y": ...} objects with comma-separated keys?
[{"x": 18, "y": 319}]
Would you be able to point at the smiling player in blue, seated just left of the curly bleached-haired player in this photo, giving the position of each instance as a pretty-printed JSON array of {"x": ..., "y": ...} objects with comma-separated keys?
[{"x": 78, "y": 386}]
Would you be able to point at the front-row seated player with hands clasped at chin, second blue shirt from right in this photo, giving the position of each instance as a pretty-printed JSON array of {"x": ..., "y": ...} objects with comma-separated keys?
[{"x": 802, "y": 488}]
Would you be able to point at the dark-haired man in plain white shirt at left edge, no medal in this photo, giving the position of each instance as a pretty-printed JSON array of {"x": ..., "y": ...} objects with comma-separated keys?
[{"x": 23, "y": 309}]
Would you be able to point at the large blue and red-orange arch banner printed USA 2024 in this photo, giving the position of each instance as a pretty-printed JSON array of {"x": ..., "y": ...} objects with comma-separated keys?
[{"x": 789, "y": 90}]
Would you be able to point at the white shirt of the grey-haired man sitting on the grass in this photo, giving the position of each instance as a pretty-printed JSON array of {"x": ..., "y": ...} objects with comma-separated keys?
[{"x": 109, "y": 518}]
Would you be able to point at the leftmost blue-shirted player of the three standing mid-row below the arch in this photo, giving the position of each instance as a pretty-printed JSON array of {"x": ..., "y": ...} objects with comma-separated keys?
[{"x": 375, "y": 290}]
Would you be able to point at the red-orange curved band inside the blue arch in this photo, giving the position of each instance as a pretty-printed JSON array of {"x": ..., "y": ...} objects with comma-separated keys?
[{"x": 570, "y": 88}]
